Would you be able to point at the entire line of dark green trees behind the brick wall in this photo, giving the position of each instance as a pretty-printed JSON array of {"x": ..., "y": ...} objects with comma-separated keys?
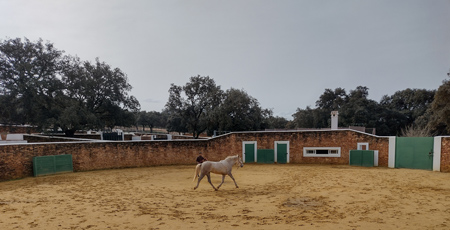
[{"x": 42, "y": 86}]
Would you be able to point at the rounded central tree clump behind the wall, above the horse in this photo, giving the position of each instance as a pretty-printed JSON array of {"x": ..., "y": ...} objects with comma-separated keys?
[{"x": 202, "y": 106}]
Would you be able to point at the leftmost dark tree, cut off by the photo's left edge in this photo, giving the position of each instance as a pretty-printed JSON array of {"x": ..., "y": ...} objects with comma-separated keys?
[{"x": 28, "y": 81}]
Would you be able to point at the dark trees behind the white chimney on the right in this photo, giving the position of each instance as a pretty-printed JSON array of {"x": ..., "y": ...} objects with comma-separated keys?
[{"x": 389, "y": 117}]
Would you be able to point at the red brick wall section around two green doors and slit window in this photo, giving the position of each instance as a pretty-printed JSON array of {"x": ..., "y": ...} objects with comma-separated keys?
[{"x": 346, "y": 139}]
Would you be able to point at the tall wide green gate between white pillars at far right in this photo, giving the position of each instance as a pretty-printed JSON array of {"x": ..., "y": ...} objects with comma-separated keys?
[{"x": 414, "y": 152}]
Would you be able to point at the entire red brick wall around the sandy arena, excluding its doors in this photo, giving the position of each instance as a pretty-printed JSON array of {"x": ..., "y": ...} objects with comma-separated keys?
[{"x": 16, "y": 160}]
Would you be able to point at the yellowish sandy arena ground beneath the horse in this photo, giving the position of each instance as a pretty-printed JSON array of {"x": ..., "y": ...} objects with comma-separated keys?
[{"x": 269, "y": 197}]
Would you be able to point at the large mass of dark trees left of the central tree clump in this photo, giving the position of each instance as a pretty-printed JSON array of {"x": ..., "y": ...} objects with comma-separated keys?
[{"x": 39, "y": 86}]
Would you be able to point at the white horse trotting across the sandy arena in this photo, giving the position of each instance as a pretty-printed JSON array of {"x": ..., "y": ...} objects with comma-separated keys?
[{"x": 222, "y": 167}]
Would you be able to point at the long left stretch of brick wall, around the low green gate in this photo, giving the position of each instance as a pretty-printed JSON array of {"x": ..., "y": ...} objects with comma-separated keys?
[{"x": 16, "y": 160}]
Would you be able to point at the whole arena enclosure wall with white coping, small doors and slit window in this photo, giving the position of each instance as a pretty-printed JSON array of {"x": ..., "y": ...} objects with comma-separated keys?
[{"x": 297, "y": 147}]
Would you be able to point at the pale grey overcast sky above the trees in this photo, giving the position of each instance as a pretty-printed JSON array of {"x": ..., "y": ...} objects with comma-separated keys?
[{"x": 283, "y": 53}]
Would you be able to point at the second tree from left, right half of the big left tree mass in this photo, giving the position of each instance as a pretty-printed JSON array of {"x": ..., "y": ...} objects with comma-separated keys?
[{"x": 101, "y": 90}]
